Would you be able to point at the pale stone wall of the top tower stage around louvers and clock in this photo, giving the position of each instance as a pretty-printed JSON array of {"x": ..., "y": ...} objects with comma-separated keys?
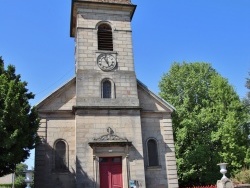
[{"x": 86, "y": 38}]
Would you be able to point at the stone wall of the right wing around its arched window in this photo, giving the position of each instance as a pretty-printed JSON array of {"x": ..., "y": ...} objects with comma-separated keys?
[{"x": 159, "y": 127}]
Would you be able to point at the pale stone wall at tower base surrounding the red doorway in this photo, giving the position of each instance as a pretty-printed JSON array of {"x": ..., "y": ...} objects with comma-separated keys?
[{"x": 93, "y": 124}]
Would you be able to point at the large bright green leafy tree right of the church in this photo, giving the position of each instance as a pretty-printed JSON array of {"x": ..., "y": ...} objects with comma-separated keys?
[{"x": 208, "y": 122}]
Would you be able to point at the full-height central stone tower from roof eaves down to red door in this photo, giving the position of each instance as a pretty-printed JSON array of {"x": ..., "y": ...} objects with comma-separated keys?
[{"x": 106, "y": 95}]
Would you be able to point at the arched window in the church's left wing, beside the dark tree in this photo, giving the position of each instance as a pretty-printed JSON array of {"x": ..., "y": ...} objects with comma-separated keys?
[{"x": 60, "y": 156}]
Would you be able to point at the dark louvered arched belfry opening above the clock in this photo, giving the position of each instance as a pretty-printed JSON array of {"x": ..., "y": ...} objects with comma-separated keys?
[{"x": 105, "y": 37}]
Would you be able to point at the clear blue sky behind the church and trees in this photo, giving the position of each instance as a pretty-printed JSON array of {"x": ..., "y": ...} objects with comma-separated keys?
[{"x": 34, "y": 37}]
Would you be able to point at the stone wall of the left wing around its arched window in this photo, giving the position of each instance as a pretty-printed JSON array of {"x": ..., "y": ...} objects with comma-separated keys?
[{"x": 55, "y": 127}]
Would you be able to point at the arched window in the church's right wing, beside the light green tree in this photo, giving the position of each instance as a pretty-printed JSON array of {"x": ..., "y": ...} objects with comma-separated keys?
[{"x": 152, "y": 153}]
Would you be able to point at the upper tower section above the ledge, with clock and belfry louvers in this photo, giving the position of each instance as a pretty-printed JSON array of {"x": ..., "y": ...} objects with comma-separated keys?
[{"x": 104, "y": 64}]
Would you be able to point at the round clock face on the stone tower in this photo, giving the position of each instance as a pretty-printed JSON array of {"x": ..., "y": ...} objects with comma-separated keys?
[{"x": 106, "y": 62}]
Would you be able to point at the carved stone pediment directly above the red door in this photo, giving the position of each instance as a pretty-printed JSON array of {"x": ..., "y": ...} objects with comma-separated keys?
[{"x": 109, "y": 139}]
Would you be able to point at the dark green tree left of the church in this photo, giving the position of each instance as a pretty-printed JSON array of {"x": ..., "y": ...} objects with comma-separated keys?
[{"x": 18, "y": 120}]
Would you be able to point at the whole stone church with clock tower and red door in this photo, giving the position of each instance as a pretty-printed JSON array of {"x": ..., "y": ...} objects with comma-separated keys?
[{"x": 104, "y": 128}]
